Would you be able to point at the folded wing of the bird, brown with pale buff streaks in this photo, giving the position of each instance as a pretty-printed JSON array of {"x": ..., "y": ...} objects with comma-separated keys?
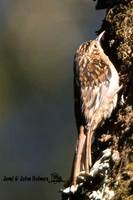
[{"x": 92, "y": 80}]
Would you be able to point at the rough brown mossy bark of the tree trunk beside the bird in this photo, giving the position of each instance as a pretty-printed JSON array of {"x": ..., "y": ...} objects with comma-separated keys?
[{"x": 115, "y": 183}]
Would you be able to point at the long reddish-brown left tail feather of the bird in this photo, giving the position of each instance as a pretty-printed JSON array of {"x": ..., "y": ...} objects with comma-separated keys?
[{"x": 78, "y": 155}]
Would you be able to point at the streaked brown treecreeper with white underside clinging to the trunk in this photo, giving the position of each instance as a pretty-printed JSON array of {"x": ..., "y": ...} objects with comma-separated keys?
[{"x": 96, "y": 84}]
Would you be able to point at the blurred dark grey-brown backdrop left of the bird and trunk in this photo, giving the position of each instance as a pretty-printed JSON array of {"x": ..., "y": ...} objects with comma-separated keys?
[{"x": 37, "y": 127}]
